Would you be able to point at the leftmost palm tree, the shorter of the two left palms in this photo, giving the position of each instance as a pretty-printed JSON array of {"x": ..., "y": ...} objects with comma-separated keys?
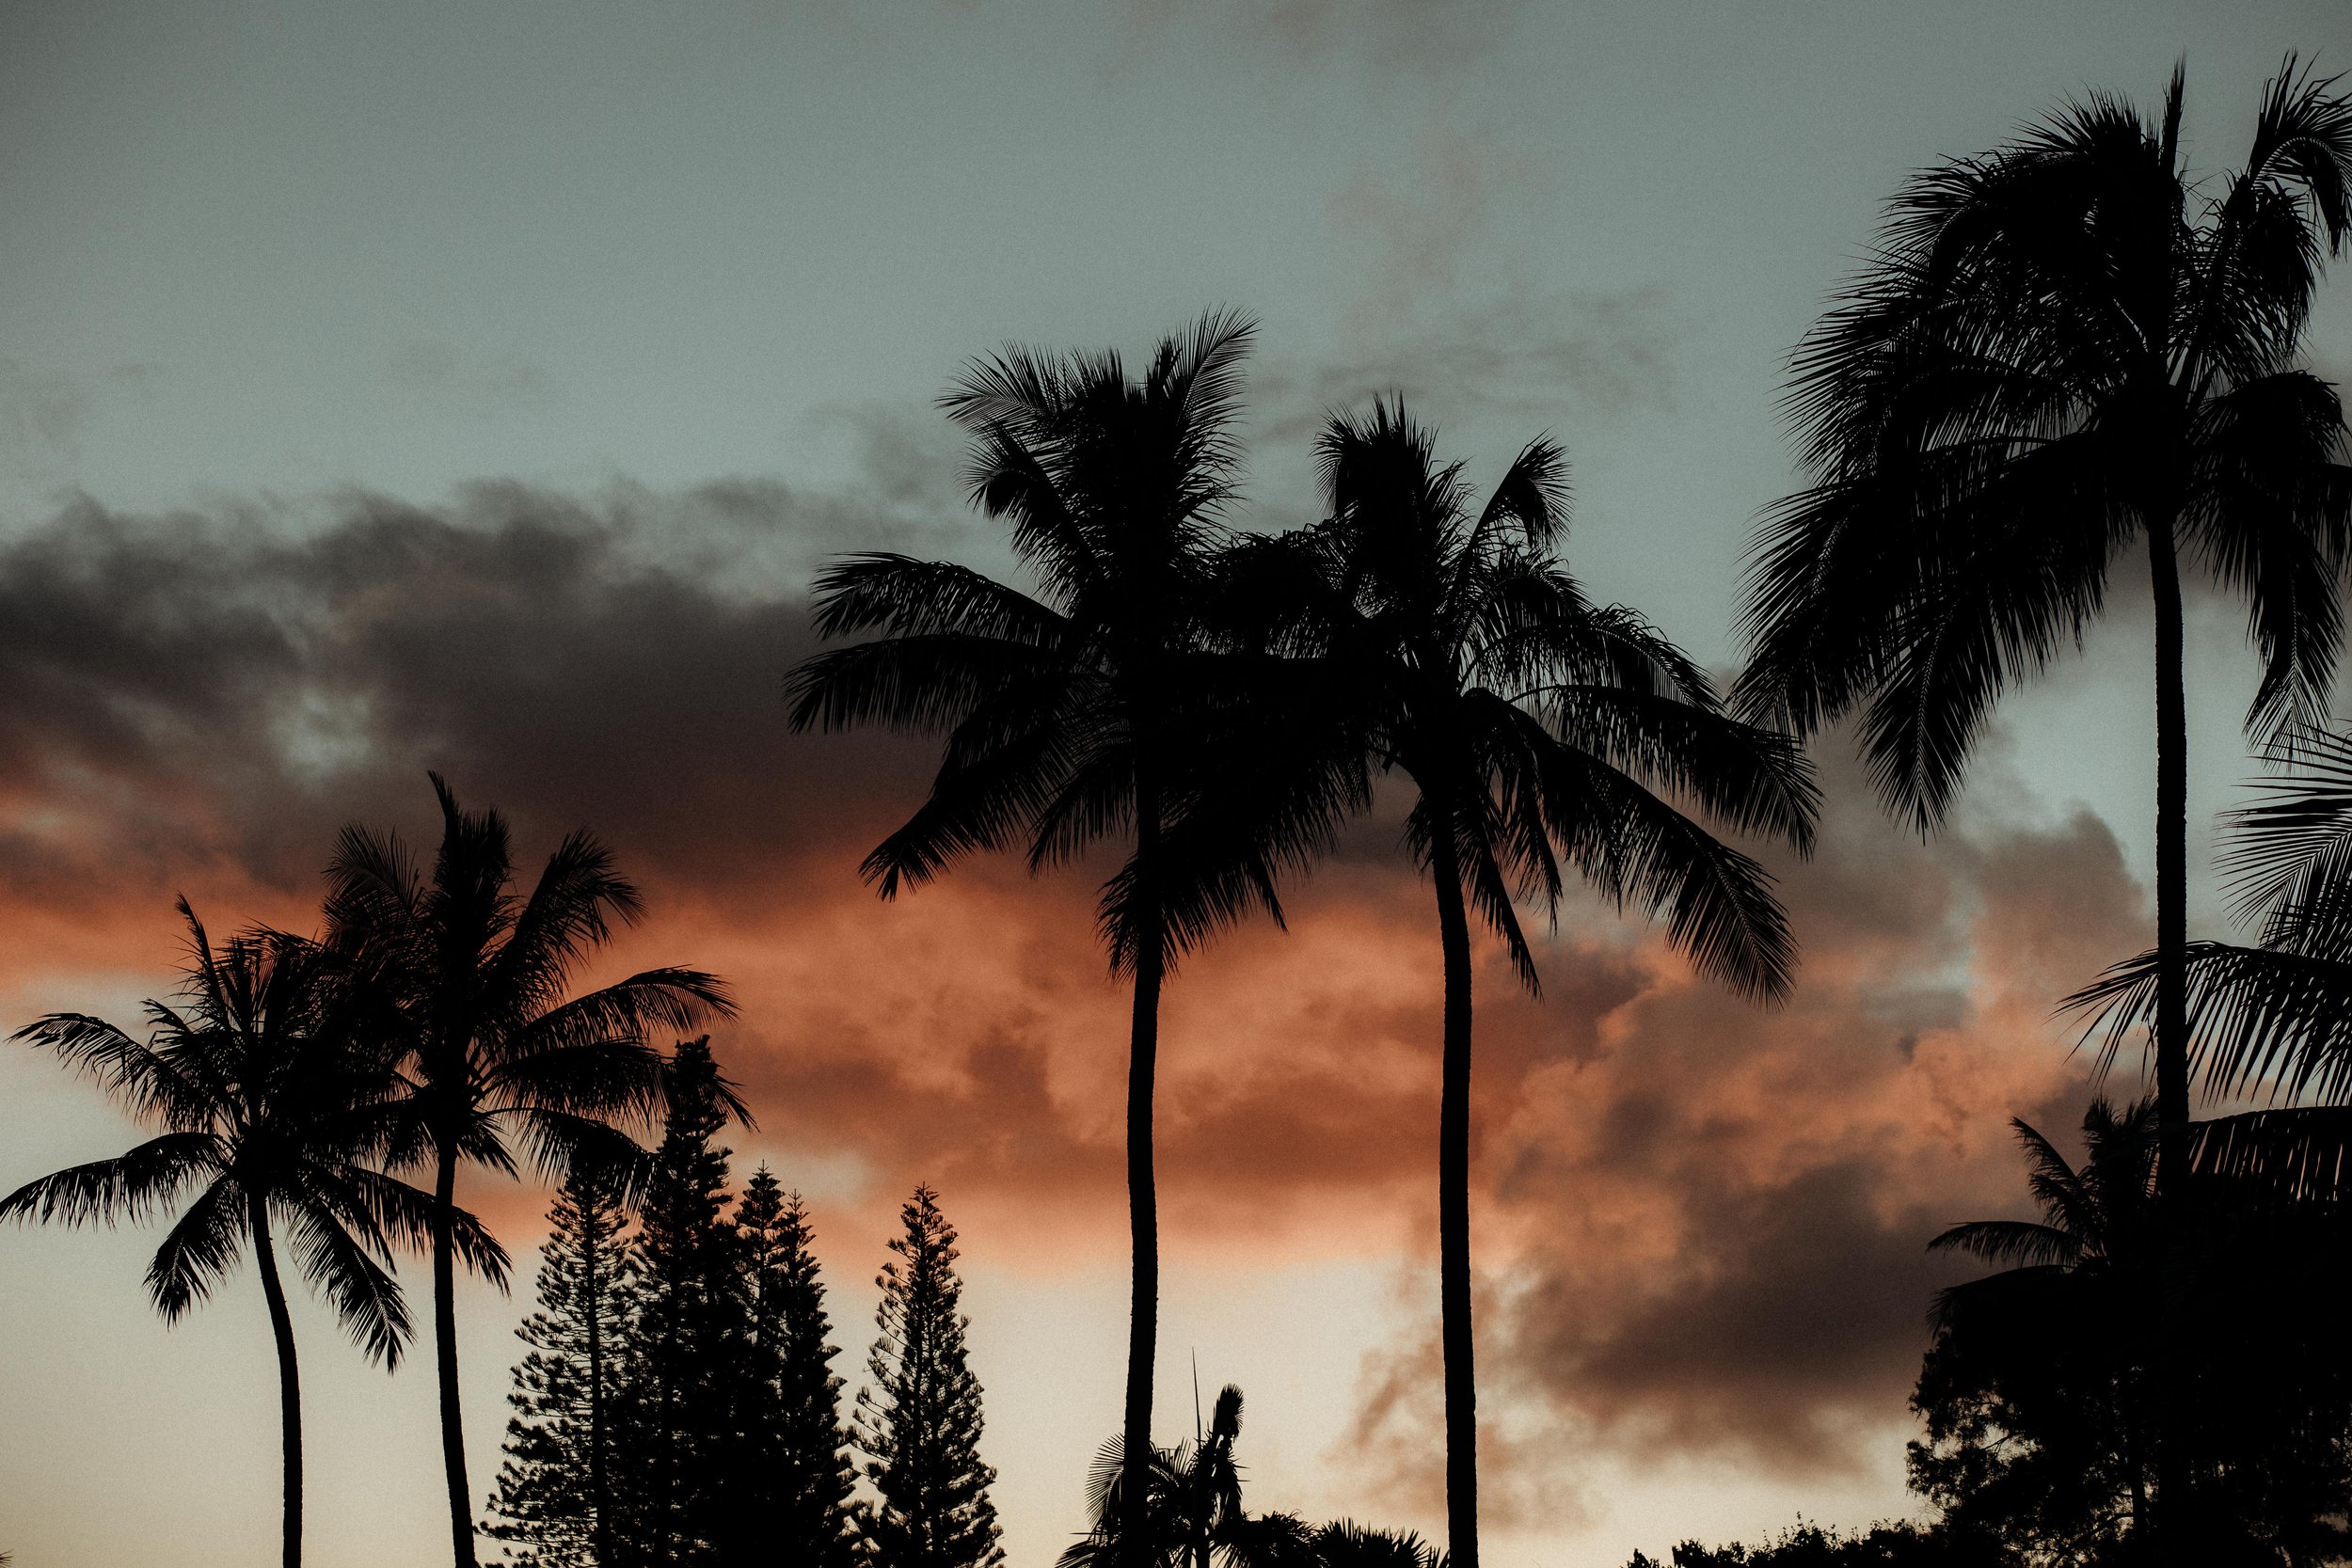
[{"x": 269, "y": 1106}]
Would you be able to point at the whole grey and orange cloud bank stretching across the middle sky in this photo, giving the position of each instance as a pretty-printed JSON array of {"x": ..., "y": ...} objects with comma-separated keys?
[{"x": 1699, "y": 1224}]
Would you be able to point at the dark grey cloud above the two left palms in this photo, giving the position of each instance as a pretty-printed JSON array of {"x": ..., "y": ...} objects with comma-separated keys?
[{"x": 234, "y": 683}]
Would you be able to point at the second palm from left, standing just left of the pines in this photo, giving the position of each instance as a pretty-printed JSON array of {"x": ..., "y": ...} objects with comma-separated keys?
[{"x": 493, "y": 1050}]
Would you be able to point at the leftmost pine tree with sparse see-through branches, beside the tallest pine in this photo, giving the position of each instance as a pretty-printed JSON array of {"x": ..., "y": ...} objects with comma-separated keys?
[{"x": 554, "y": 1499}]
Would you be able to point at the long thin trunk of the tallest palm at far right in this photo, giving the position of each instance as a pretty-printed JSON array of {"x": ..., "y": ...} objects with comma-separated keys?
[{"x": 2172, "y": 1040}]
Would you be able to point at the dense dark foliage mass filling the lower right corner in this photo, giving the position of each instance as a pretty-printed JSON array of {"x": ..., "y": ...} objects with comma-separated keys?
[{"x": 2038, "y": 1391}]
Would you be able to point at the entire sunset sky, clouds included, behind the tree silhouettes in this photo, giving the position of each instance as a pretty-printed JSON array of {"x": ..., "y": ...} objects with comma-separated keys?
[{"x": 476, "y": 387}]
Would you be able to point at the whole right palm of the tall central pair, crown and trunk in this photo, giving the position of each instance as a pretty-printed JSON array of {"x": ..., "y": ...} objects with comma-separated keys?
[{"x": 1542, "y": 735}]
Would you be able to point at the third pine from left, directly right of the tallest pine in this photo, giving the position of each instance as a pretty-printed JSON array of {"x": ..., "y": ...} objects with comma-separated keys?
[{"x": 801, "y": 1489}]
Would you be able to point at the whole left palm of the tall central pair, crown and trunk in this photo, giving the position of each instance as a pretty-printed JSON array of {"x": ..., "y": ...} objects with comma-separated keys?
[{"x": 1095, "y": 709}]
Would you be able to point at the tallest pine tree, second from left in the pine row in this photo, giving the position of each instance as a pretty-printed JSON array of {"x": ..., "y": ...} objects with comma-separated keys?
[{"x": 688, "y": 1341}]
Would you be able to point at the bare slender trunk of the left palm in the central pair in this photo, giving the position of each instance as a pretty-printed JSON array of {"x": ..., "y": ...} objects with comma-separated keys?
[{"x": 1142, "y": 1193}]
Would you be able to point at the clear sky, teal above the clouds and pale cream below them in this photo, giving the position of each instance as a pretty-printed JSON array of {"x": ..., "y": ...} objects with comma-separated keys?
[{"x": 258, "y": 255}]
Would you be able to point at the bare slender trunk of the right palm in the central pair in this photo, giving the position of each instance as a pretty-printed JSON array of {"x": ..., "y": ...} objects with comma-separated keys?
[{"x": 1455, "y": 1207}]
